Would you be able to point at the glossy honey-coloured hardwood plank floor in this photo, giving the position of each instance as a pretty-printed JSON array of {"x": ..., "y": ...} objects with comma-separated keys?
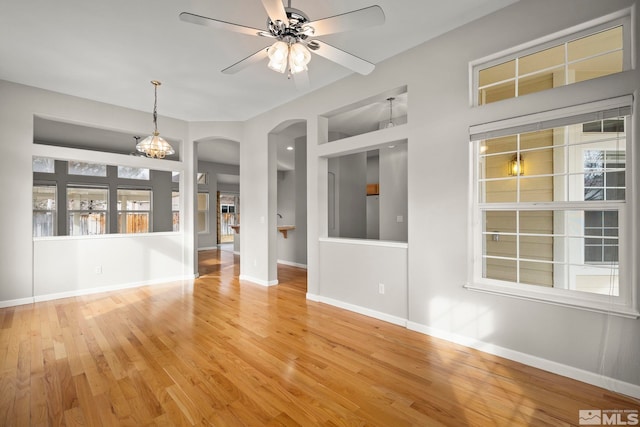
[{"x": 220, "y": 352}]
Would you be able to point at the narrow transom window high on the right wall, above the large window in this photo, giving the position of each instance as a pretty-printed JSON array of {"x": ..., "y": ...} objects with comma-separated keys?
[{"x": 585, "y": 55}]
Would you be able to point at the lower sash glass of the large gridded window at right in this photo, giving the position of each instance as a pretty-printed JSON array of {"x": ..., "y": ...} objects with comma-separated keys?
[{"x": 561, "y": 249}]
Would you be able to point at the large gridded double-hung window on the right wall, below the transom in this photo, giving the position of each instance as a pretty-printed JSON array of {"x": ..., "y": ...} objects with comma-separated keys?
[{"x": 555, "y": 230}]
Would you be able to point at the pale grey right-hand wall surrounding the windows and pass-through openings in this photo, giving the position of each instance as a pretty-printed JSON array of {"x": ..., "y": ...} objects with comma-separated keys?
[{"x": 590, "y": 346}]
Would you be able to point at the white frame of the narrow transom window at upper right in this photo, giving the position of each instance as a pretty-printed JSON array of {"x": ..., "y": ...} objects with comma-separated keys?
[{"x": 621, "y": 18}]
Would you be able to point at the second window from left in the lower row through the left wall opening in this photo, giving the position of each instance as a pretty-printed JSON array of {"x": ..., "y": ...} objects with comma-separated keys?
[{"x": 87, "y": 210}]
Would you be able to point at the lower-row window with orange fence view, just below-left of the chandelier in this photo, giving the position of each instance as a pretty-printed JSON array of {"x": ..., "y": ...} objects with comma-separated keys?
[{"x": 134, "y": 211}]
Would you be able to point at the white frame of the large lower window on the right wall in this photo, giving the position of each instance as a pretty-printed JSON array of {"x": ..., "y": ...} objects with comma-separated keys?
[{"x": 625, "y": 304}]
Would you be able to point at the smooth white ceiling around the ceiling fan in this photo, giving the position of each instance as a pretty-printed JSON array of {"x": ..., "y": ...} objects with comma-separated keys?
[{"x": 109, "y": 51}]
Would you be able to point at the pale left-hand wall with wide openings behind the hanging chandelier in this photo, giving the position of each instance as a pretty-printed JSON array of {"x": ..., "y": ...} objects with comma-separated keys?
[{"x": 160, "y": 256}]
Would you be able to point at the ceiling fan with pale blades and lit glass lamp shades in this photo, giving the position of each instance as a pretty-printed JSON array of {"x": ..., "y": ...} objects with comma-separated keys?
[{"x": 294, "y": 36}]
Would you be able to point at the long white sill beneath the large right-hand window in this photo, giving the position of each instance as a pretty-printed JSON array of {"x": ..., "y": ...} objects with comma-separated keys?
[{"x": 565, "y": 298}]
